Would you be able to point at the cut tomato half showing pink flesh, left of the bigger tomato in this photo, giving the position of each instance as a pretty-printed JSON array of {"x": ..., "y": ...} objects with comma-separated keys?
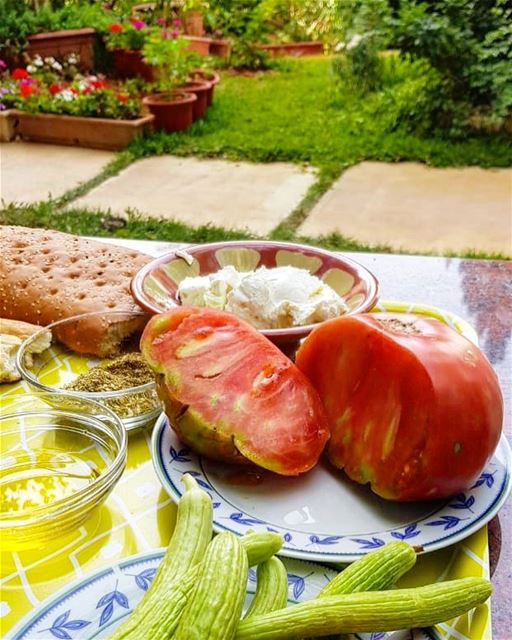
[{"x": 230, "y": 394}]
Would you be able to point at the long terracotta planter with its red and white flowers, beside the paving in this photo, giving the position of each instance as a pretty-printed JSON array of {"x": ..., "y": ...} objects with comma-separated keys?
[{"x": 81, "y": 110}]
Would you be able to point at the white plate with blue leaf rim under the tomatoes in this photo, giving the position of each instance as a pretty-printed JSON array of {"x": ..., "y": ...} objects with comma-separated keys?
[{"x": 323, "y": 515}]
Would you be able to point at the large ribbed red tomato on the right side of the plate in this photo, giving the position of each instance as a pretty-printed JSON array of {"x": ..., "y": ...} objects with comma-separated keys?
[{"x": 415, "y": 409}]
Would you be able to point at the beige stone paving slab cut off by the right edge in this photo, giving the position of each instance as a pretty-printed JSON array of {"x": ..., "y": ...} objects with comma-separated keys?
[{"x": 418, "y": 208}]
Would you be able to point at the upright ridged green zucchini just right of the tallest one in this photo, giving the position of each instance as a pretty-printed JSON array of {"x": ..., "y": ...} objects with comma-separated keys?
[{"x": 214, "y": 608}]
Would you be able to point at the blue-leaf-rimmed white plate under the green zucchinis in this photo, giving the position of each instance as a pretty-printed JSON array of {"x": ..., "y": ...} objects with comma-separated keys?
[{"x": 94, "y": 606}]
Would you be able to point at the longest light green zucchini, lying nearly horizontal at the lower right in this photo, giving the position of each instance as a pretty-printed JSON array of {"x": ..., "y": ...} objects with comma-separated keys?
[{"x": 369, "y": 611}]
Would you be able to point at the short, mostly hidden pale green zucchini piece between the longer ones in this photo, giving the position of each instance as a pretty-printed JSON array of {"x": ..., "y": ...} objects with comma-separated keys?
[{"x": 271, "y": 588}]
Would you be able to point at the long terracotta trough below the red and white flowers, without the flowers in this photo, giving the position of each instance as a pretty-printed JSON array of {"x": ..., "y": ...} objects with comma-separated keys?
[{"x": 97, "y": 133}]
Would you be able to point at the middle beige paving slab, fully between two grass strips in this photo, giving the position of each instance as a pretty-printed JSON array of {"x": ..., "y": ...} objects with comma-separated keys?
[{"x": 228, "y": 194}]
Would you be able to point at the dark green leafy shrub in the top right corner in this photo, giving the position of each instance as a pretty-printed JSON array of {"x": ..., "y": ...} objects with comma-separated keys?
[{"x": 469, "y": 43}]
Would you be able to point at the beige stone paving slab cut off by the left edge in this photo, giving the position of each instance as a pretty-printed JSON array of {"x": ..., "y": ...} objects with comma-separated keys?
[{"x": 31, "y": 172}]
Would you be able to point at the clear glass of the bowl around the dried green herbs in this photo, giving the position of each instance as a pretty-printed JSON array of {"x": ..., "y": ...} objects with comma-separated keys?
[{"x": 58, "y": 365}]
